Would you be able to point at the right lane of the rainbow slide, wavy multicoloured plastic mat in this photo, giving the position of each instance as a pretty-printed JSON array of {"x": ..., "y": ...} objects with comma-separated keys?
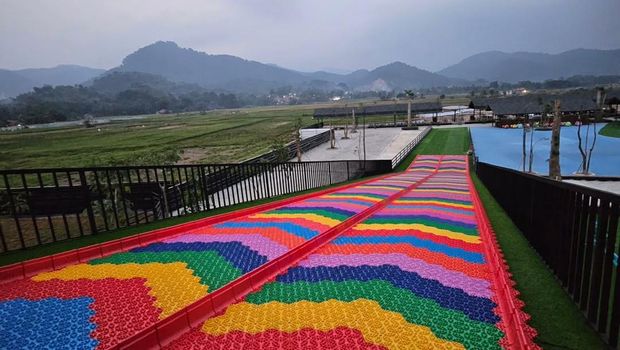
[{"x": 411, "y": 276}]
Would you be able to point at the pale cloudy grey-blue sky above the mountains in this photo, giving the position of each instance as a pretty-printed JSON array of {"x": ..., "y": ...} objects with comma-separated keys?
[{"x": 306, "y": 34}]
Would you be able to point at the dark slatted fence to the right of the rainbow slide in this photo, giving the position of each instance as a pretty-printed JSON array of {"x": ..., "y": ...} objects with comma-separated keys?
[{"x": 575, "y": 231}]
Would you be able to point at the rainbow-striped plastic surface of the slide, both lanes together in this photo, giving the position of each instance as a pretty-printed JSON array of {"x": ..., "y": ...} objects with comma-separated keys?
[{"x": 413, "y": 274}]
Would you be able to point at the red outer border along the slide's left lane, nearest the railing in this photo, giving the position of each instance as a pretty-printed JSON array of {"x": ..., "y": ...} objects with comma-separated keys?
[{"x": 57, "y": 261}]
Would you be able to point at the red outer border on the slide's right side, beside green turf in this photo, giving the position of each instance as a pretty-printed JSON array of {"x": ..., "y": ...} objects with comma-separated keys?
[{"x": 518, "y": 334}]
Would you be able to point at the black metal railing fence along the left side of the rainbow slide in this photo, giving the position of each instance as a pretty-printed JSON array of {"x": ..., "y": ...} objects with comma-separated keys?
[{"x": 39, "y": 206}]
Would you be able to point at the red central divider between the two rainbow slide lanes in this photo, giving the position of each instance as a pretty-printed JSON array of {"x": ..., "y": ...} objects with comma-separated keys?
[{"x": 193, "y": 315}]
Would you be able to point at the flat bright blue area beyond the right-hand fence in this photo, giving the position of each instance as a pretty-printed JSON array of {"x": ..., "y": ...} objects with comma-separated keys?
[{"x": 503, "y": 147}]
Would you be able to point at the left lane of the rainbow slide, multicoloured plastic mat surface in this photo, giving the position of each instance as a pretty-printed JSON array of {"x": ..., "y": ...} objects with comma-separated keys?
[{"x": 104, "y": 301}]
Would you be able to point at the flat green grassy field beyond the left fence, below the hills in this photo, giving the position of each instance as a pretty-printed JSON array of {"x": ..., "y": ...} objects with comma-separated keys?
[{"x": 223, "y": 136}]
